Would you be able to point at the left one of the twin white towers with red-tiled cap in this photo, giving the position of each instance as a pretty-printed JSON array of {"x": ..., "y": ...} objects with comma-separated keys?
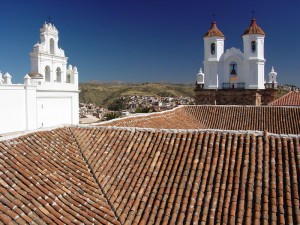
[{"x": 213, "y": 50}]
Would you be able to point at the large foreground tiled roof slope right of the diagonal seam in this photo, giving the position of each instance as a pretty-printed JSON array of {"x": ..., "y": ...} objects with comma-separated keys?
[{"x": 184, "y": 177}]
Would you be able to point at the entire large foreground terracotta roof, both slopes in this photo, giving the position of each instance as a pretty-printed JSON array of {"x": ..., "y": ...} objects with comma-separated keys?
[{"x": 104, "y": 175}]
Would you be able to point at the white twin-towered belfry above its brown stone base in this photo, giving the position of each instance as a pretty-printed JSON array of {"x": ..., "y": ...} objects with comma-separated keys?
[{"x": 234, "y": 68}]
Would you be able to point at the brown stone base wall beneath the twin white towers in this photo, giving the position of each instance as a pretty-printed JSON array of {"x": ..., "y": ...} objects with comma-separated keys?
[{"x": 234, "y": 97}]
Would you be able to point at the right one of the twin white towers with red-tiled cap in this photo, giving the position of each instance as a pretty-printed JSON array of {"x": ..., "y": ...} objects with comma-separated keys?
[{"x": 253, "y": 40}]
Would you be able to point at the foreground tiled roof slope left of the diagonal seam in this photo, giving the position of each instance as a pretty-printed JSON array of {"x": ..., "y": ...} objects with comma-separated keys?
[{"x": 44, "y": 179}]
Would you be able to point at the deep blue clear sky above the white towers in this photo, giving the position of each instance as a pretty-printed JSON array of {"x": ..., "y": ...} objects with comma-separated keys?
[{"x": 146, "y": 41}]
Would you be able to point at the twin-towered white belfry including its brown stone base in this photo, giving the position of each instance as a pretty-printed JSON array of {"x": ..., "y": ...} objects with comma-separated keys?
[{"x": 234, "y": 77}]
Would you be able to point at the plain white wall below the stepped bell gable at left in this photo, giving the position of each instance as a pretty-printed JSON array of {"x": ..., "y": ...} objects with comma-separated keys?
[{"x": 24, "y": 107}]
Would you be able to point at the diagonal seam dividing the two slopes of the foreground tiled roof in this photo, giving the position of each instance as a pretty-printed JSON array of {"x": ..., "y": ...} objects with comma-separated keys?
[{"x": 90, "y": 169}]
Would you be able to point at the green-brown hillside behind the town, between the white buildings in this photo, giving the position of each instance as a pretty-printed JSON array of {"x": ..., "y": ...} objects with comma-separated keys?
[{"x": 102, "y": 94}]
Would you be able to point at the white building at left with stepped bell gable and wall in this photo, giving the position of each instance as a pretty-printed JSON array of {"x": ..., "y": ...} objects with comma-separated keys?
[{"x": 49, "y": 95}]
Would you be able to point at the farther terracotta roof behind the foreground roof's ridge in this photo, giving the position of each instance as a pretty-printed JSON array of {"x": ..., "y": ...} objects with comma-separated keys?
[{"x": 279, "y": 120}]
